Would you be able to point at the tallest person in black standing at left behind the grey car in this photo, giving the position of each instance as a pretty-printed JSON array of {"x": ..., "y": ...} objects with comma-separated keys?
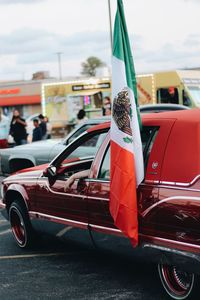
[{"x": 18, "y": 129}]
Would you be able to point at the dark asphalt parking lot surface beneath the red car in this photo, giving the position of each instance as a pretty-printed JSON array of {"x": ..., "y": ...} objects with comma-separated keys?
[{"x": 58, "y": 270}]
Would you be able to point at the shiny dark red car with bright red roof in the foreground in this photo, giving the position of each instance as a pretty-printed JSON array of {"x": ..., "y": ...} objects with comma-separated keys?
[{"x": 36, "y": 199}]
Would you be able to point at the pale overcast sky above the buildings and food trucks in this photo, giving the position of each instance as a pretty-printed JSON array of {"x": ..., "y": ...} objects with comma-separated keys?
[{"x": 164, "y": 35}]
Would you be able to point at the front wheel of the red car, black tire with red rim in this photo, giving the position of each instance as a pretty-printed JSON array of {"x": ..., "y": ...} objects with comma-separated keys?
[{"x": 20, "y": 225}]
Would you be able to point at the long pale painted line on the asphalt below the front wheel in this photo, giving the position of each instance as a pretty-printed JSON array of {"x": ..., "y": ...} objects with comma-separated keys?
[{"x": 40, "y": 255}]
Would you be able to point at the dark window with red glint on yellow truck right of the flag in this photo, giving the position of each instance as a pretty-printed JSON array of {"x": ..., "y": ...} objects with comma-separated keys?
[{"x": 168, "y": 95}]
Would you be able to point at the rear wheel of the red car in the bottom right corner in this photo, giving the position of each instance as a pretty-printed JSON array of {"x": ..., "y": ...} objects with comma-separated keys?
[{"x": 179, "y": 285}]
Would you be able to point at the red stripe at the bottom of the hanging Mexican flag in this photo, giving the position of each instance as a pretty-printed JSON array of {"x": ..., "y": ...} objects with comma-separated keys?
[{"x": 123, "y": 198}]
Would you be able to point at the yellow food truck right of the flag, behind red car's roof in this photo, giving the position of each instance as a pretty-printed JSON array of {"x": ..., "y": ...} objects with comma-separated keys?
[{"x": 176, "y": 87}]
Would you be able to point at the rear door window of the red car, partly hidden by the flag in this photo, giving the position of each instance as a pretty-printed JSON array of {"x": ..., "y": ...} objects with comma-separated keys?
[{"x": 148, "y": 136}]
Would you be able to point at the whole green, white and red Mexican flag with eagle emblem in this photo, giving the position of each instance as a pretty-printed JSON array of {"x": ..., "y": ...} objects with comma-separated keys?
[{"x": 127, "y": 168}]
